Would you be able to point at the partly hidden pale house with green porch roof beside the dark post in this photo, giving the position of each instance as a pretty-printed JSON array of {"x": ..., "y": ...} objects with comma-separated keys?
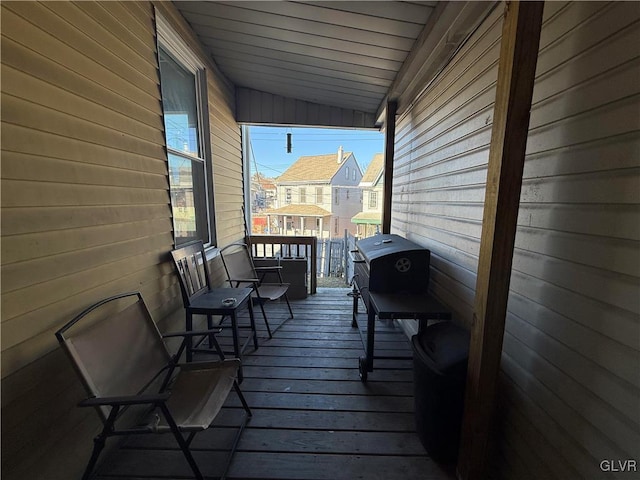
[{"x": 368, "y": 221}]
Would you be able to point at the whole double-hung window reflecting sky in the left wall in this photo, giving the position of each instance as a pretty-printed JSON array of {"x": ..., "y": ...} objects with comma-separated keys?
[{"x": 184, "y": 114}]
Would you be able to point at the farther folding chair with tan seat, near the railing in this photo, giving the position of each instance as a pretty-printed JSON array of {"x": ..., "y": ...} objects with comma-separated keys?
[{"x": 241, "y": 271}]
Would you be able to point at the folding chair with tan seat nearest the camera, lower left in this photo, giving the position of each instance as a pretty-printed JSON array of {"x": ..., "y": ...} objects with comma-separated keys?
[{"x": 124, "y": 364}]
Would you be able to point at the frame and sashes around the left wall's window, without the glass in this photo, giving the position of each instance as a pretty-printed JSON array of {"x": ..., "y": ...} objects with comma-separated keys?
[{"x": 171, "y": 42}]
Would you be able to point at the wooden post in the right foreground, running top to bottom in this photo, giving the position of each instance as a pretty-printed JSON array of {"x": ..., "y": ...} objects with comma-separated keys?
[{"x": 516, "y": 74}]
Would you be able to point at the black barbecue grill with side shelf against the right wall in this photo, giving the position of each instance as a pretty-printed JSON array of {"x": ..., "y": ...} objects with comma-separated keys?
[{"x": 391, "y": 275}]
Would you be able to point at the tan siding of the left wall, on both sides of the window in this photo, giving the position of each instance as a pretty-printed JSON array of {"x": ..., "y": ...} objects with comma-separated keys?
[{"x": 85, "y": 203}]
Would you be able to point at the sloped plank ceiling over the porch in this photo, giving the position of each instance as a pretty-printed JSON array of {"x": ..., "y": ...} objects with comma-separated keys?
[{"x": 342, "y": 53}]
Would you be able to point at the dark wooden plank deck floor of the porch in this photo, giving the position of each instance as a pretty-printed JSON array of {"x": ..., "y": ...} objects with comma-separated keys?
[{"x": 313, "y": 419}]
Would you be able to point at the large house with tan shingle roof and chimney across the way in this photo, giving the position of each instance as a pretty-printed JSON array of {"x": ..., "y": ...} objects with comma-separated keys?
[{"x": 318, "y": 195}]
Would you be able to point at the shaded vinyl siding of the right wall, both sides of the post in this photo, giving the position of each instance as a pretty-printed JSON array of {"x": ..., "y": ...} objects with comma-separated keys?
[{"x": 570, "y": 391}]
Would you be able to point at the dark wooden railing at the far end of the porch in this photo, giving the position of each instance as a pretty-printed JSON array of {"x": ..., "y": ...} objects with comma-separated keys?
[{"x": 285, "y": 246}]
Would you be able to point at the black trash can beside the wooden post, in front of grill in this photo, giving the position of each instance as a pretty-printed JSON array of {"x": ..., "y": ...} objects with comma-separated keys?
[{"x": 440, "y": 354}]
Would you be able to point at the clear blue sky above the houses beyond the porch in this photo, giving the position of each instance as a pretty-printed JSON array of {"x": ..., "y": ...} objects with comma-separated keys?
[{"x": 269, "y": 146}]
